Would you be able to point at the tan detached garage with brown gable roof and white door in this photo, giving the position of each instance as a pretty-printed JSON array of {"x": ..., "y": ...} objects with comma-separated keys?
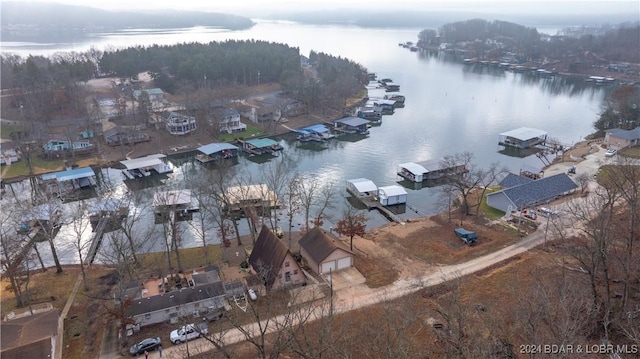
[{"x": 324, "y": 253}]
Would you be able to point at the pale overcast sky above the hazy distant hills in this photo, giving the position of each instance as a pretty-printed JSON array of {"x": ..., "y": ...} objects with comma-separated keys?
[{"x": 267, "y": 6}]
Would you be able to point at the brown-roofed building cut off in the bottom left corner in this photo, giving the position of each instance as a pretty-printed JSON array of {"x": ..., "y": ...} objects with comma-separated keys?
[{"x": 30, "y": 336}]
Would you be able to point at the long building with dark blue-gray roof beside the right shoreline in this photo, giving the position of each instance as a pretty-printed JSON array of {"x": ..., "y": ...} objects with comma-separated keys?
[{"x": 532, "y": 193}]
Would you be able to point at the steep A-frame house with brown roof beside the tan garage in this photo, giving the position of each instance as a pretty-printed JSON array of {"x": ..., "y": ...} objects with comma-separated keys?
[{"x": 273, "y": 262}]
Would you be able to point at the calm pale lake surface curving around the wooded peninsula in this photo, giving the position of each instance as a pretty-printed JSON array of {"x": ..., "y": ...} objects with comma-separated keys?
[{"x": 450, "y": 107}]
